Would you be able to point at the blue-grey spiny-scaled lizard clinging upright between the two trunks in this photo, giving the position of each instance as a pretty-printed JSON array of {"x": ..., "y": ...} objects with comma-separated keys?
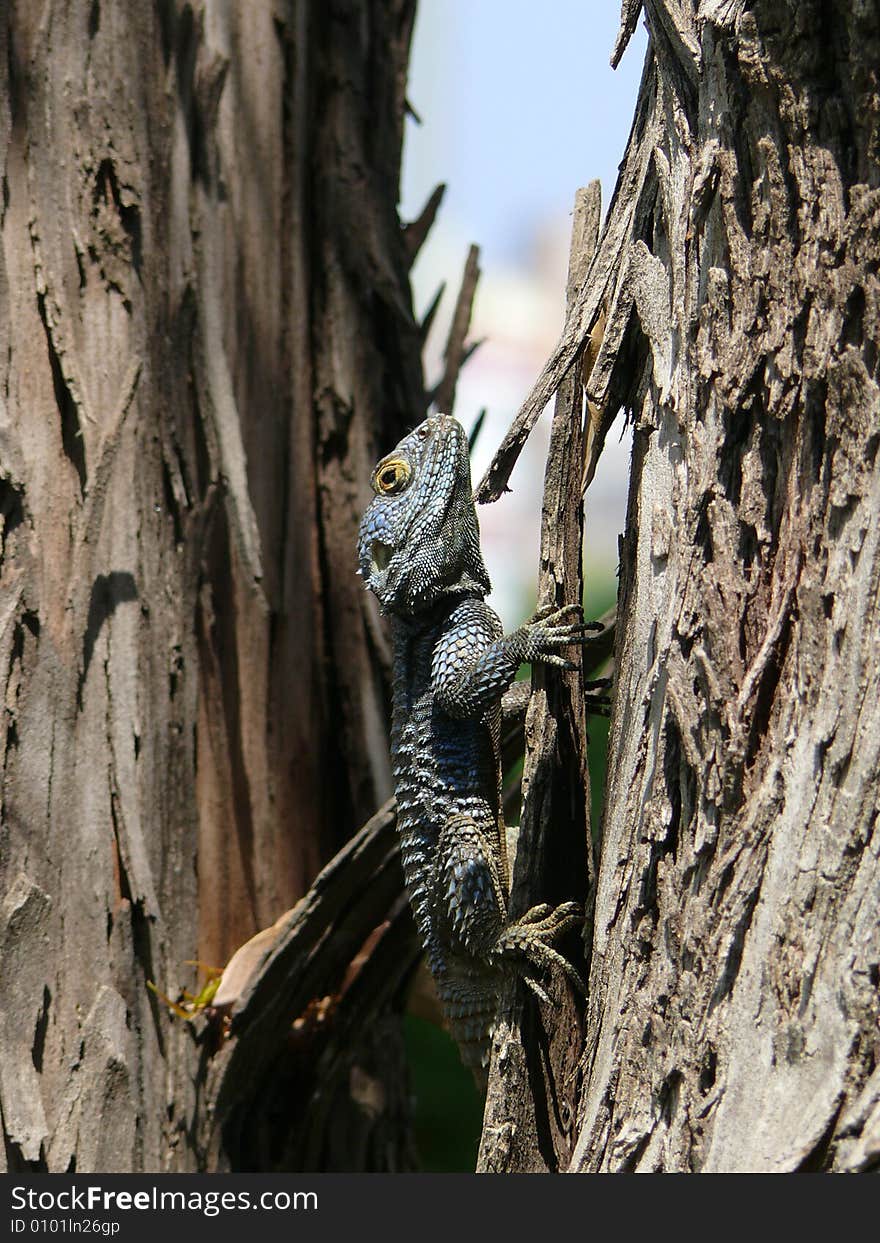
[{"x": 419, "y": 553}]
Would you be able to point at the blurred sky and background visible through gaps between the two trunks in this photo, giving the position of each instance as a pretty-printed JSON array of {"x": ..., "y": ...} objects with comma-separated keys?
[{"x": 519, "y": 108}]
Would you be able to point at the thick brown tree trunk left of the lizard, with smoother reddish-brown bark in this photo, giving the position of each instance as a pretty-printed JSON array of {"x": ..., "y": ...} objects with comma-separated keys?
[{"x": 207, "y": 341}]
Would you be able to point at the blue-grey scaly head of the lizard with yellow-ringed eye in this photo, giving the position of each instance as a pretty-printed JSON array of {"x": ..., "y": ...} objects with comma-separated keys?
[{"x": 419, "y": 538}]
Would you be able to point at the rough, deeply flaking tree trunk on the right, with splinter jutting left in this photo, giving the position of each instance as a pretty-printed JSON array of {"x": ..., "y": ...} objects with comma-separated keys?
[{"x": 734, "y": 999}]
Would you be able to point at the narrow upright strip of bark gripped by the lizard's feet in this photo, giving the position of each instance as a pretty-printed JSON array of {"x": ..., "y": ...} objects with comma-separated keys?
[{"x": 533, "y": 1091}]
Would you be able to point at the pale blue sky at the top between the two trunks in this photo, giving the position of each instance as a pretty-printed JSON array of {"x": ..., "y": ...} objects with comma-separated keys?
[{"x": 520, "y": 108}]
